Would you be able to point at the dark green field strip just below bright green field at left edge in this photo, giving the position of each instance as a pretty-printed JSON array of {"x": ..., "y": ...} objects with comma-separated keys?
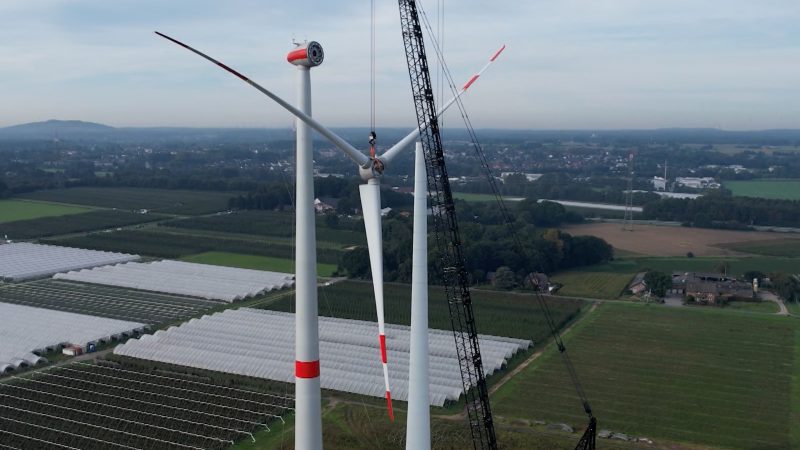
[{"x": 74, "y": 223}]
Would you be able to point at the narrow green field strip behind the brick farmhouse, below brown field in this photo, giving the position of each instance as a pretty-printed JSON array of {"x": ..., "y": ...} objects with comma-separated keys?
[{"x": 738, "y": 265}]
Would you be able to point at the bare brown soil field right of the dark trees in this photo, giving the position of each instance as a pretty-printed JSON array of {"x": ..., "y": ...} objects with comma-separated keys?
[{"x": 655, "y": 240}]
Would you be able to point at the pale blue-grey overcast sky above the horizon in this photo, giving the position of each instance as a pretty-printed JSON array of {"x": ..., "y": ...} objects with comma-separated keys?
[{"x": 591, "y": 64}]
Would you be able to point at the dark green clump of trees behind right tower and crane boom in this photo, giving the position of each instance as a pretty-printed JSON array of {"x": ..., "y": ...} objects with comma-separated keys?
[{"x": 487, "y": 245}]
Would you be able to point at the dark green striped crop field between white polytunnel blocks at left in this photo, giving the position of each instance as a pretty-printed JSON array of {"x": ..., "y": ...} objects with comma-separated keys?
[{"x": 105, "y": 301}]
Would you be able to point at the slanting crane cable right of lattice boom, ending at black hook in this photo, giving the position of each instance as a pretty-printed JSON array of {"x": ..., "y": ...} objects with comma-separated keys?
[{"x": 587, "y": 441}]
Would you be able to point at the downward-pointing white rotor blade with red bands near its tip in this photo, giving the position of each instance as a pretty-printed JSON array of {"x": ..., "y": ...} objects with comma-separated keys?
[{"x": 371, "y": 209}]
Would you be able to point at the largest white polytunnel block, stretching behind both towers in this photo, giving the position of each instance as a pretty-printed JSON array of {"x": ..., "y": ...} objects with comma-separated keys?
[{"x": 260, "y": 343}]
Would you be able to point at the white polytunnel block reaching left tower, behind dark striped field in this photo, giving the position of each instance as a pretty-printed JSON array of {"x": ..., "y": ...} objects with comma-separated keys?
[{"x": 175, "y": 277}]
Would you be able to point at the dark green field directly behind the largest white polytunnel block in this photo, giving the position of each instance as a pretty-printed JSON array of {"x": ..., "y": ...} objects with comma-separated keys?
[{"x": 354, "y": 300}]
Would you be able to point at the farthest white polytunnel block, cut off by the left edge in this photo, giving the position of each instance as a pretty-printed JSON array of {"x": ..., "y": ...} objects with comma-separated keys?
[{"x": 23, "y": 261}]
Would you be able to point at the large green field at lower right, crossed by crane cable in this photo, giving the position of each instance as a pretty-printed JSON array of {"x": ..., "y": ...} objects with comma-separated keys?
[{"x": 687, "y": 375}]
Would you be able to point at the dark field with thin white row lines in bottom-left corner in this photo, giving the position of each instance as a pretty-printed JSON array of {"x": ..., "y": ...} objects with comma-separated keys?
[{"x": 110, "y": 405}]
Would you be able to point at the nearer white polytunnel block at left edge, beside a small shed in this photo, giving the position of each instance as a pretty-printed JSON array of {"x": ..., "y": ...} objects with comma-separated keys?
[{"x": 26, "y": 329}]
